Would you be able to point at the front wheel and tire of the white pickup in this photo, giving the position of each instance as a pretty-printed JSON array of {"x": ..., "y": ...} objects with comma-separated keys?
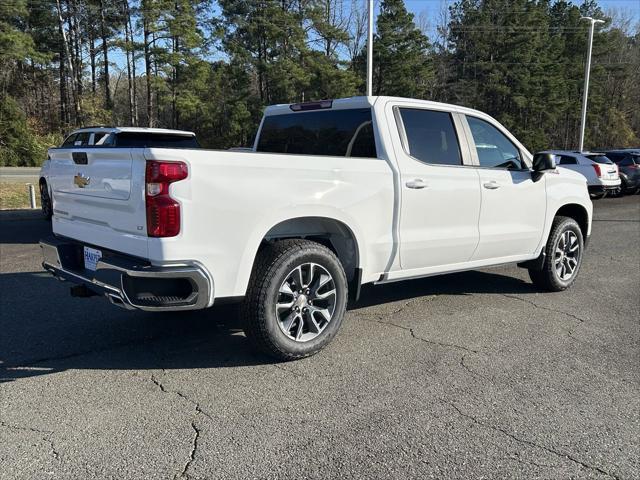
[{"x": 563, "y": 256}]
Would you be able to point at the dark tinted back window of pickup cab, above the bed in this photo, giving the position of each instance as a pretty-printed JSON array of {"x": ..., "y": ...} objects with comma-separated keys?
[{"x": 339, "y": 133}]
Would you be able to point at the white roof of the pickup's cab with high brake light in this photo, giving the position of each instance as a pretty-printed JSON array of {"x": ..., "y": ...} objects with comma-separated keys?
[{"x": 361, "y": 102}]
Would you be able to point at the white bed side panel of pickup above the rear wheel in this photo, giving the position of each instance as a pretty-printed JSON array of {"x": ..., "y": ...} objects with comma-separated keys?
[{"x": 232, "y": 199}]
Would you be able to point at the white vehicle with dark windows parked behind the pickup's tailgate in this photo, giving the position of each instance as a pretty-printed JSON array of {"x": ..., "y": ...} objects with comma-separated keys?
[{"x": 111, "y": 137}]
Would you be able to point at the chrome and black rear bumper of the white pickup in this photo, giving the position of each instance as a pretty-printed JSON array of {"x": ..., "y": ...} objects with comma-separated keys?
[{"x": 130, "y": 282}]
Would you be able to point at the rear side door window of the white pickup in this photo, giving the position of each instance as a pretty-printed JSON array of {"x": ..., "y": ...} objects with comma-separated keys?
[{"x": 431, "y": 136}]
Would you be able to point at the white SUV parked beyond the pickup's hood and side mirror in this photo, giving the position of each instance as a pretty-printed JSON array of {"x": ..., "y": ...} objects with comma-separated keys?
[{"x": 600, "y": 172}]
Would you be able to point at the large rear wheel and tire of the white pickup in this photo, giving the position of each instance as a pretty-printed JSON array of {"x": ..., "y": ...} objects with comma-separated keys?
[{"x": 296, "y": 299}]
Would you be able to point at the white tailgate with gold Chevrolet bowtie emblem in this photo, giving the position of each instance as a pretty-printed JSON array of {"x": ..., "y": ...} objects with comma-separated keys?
[{"x": 98, "y": 197}]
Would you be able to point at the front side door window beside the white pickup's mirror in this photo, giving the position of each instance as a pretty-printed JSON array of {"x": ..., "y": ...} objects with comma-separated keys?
[{"x": 494, "y": 149}]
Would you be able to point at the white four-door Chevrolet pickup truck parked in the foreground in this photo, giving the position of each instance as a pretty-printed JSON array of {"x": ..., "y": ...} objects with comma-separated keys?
[{"x": 334, "y": 194}]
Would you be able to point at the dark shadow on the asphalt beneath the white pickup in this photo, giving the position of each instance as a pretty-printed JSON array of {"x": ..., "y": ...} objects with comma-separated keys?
[{"x": 43, "y": 330}]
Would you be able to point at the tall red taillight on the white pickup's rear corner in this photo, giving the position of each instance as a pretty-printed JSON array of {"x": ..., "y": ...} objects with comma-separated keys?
[{"x": 163, "y": 212}]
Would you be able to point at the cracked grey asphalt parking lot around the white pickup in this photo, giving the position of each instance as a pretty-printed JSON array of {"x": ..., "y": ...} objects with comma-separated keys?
[{"x": 472, "y": 375}]
